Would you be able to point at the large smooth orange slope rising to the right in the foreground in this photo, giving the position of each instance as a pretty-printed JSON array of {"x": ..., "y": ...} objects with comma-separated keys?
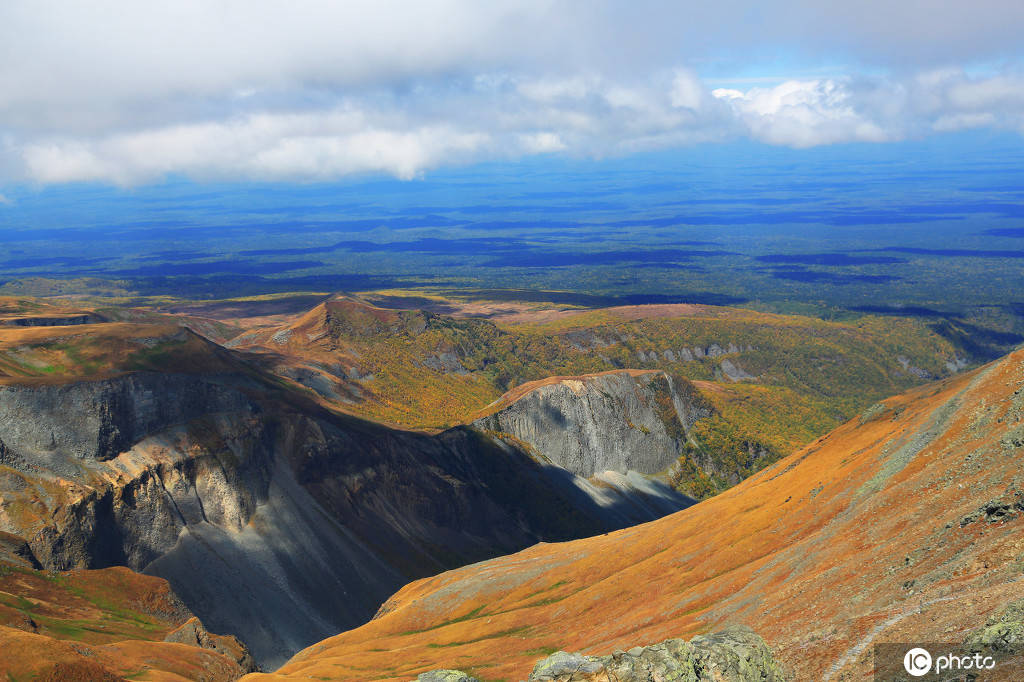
[{"x": 904, "y": 525}]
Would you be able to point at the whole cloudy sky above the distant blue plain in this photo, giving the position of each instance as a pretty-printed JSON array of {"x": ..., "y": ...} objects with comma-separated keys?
[{"x": 131, "y": 94}]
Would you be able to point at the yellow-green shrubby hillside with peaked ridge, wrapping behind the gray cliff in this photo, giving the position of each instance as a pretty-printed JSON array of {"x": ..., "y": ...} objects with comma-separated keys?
[{"x": 777, "y": 382}]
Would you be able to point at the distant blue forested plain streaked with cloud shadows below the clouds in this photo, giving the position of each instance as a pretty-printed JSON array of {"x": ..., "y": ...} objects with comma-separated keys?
[{"x": 932, "y": 229}]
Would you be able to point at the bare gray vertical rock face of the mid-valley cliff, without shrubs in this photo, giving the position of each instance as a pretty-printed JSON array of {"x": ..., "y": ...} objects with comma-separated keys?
[{"x": 618, "y": 421}]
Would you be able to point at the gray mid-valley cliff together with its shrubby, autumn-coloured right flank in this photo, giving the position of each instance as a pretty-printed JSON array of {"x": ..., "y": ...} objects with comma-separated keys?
[{"x": 639, "y": 421}]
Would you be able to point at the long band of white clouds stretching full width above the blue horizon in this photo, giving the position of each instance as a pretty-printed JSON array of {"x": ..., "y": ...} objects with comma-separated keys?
[{"x": 504, "y": 117}]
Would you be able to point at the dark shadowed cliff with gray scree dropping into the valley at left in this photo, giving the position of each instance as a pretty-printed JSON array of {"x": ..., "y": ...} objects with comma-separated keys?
[{"x": 273, "y": 519}]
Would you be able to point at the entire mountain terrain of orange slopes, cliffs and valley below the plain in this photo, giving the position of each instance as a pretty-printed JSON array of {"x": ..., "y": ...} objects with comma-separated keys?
[{"x": 275, "y": 471}]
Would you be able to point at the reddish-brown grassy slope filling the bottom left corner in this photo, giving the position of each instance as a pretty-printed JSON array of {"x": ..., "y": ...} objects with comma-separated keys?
[{"x": 103, "y": 625}]
